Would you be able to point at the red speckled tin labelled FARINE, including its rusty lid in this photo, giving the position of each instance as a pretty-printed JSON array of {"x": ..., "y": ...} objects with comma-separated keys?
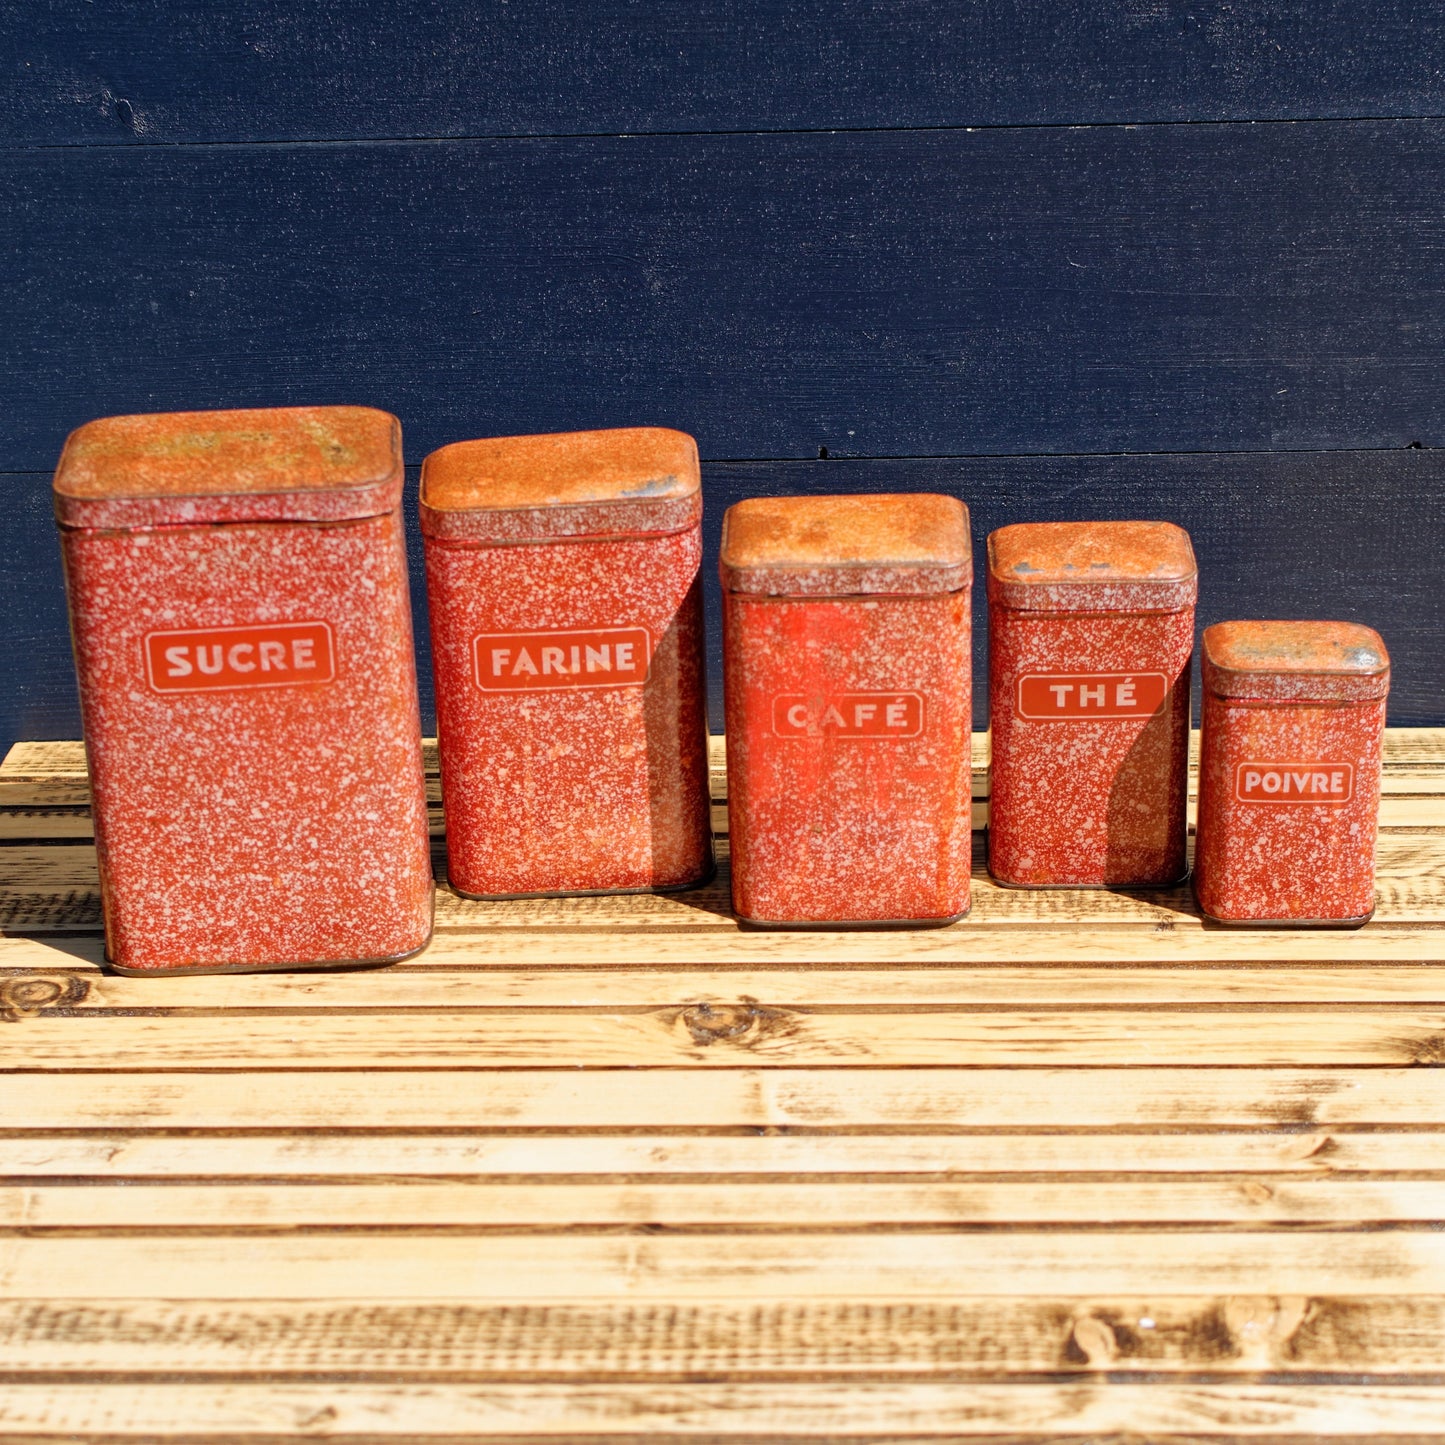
[{"x": 567, "y": 631}]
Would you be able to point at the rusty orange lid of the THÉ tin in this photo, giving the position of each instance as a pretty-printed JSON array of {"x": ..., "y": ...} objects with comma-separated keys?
[{"x": 1099, "y": 567}]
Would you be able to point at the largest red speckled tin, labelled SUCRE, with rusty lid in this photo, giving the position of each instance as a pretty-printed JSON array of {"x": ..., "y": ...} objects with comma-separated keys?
[{"x": 243, "y": 641}]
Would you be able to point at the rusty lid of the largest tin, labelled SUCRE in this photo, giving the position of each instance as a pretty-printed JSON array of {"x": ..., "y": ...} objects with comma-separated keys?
[{"x": 272, "y": 465}]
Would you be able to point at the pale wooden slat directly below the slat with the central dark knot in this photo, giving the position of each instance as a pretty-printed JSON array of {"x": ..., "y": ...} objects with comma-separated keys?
[{"x": 1171, "y": 1099}]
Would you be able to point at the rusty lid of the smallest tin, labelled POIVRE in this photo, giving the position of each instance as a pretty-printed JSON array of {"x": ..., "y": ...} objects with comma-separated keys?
[{"x": 1295, "y": 663}]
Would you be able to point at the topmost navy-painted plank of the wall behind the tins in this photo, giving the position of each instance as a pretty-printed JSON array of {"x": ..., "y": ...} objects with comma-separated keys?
[{"x": 265, "y": 72}]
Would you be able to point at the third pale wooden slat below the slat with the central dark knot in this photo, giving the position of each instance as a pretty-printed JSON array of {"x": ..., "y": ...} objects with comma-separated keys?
[{"x": 752, "y": 1206}]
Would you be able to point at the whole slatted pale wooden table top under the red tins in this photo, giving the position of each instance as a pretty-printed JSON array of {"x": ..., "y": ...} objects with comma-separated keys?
[{"x": 1079, "y": 1168}]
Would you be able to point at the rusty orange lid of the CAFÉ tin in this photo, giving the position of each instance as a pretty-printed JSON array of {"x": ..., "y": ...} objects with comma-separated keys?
[{"x": 842, "y": 547}]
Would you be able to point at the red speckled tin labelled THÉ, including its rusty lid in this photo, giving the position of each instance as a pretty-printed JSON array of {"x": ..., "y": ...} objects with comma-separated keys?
[{"x": 1090, "y": 638}]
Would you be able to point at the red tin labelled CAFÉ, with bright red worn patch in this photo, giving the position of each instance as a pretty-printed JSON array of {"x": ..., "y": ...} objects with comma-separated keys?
[{"x": 846, "y": 635}]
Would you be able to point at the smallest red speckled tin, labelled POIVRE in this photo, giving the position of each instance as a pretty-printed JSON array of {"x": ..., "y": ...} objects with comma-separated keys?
[{"x": 1290, "y": 772}]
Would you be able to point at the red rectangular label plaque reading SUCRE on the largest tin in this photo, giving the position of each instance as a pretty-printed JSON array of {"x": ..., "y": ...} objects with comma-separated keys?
[{"x": 267, "y": 655}]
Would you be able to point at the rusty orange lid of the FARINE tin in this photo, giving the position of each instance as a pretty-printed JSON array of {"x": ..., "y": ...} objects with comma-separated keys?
[{"x": 563, "y": 486}]
